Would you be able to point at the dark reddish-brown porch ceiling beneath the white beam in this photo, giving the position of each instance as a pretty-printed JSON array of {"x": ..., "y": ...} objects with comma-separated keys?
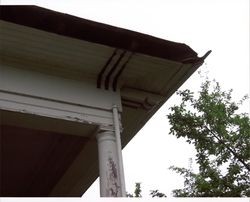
[{"x": 34, "y": 160}]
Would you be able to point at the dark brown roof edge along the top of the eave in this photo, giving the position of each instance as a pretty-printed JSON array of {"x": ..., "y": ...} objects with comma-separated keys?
[{"x": 75, "y": 27}]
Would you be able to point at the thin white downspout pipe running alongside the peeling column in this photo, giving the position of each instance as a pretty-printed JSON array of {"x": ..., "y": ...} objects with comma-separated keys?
[{"x": 119, "y": 149}]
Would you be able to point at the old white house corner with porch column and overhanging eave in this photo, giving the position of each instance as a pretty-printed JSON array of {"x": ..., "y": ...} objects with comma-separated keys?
[{"x": 73, "y": 92}]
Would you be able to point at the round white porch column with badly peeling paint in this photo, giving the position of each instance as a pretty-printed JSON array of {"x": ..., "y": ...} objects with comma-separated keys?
[{"x": 110, "y": 183}]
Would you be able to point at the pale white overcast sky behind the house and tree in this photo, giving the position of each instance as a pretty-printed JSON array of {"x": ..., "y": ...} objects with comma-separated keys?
[{"x": 218, "y": 25}]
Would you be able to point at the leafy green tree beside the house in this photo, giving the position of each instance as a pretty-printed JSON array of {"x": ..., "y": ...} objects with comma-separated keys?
[{"x": 221, "y": 137}]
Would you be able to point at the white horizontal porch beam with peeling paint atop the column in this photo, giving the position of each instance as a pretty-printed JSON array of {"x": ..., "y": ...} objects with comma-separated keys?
[{"x": 45, "y": 95}]
